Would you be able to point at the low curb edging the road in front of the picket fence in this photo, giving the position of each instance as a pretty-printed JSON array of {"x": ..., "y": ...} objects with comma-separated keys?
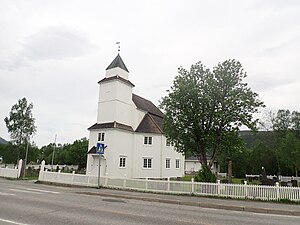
[{"x": 201, "y": 204}]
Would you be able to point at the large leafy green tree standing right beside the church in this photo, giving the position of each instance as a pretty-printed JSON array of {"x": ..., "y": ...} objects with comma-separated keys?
[{"x": 205, "y": 109}]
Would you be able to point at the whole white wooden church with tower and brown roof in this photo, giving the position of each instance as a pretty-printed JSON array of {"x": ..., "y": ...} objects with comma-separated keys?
[{"x": 131, "y": 128}]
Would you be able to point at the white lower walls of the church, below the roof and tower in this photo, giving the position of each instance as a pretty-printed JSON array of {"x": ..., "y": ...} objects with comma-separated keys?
[{"x": 131, "y": 145}]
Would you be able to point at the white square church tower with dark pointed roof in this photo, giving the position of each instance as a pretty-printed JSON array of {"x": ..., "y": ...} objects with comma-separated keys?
[{"x": 115, "y": 95}]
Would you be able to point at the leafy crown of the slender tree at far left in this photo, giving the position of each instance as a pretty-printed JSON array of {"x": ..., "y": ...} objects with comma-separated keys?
[{"x": 20, "y": 123}]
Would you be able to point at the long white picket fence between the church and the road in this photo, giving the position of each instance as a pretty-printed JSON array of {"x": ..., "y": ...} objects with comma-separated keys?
[{"x": 242, "y": 191}]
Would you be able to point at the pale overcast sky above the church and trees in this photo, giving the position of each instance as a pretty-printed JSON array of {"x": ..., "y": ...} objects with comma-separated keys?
[{"x": 54, "y": 52}]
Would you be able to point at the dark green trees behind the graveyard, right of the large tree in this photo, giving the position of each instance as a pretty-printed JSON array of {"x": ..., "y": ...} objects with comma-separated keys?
[{"x": 277, "y": 150}]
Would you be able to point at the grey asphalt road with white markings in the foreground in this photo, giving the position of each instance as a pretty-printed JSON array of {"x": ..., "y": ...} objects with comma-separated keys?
[{"x": 23, "y": 202}]
